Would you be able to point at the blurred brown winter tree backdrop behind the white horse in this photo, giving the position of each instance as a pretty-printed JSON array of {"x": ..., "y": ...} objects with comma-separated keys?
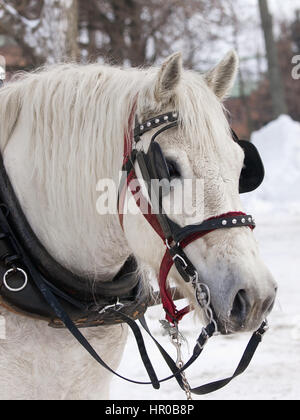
[{"x": 143, "y": 32}]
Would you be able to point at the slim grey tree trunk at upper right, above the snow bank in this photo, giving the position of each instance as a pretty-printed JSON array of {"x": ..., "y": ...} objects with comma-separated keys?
[{"x": 276, "y": 85}]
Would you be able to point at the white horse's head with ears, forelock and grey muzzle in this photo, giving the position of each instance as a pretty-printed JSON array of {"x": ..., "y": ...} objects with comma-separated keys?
[{"x": 200, "y": 149}]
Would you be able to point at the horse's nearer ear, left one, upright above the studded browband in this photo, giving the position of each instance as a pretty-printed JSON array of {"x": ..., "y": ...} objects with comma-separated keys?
[{"x": 168, "y": 78}]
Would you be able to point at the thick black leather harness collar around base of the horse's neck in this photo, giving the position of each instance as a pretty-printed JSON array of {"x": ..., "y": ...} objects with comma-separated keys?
[{"x": 84, "y": 300}]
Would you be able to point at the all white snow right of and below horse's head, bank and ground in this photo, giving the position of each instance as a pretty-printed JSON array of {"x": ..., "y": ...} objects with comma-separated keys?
[{"x": 274, "y": 373}]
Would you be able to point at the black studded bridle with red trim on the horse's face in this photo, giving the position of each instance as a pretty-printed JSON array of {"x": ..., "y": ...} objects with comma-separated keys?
[{"x": 153, "y": 166}]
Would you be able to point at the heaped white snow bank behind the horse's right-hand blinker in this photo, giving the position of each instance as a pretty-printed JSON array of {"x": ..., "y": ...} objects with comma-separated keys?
[{"x": 279, "y": 145}]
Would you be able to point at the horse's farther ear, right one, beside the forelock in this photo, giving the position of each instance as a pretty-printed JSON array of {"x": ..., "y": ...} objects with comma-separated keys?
[{"x": 221, "y": 78}]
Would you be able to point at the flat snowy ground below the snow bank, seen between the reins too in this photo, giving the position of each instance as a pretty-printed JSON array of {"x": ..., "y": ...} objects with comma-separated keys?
[{"x": 275, "y": 370}]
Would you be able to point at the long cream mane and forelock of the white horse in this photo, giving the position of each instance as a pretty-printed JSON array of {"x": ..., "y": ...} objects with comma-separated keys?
[{"x": 77, "y": 115}]
